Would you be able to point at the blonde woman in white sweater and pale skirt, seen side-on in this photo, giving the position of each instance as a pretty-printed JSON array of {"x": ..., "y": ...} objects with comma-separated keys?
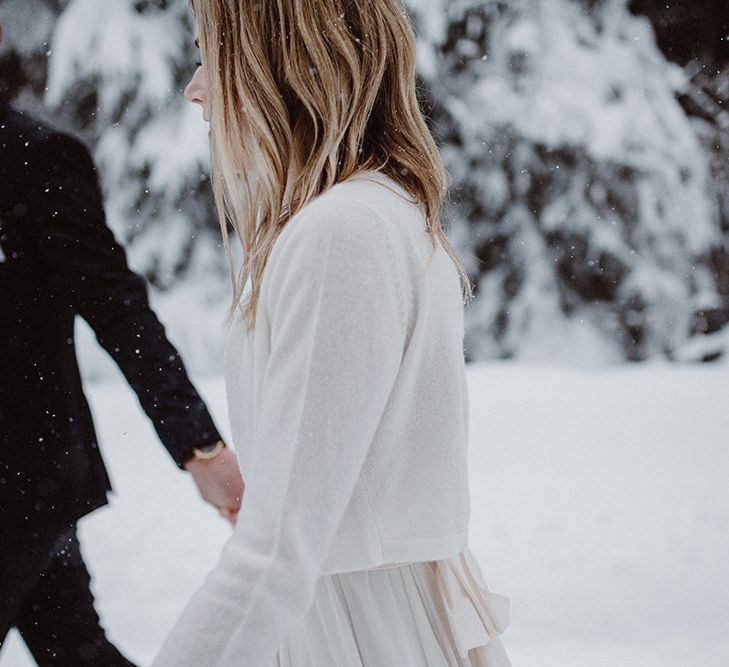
[{"x": 344, "y": 362}]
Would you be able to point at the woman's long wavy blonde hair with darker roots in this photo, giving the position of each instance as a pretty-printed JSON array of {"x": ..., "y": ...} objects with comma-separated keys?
[{"x": 328, "y": 83}]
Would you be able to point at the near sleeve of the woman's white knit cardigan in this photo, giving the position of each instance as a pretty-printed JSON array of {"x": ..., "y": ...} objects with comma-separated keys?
[{"x": 336, "y": 343}]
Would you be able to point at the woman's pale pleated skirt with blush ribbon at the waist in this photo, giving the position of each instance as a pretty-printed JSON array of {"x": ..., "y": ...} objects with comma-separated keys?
[{"x": 423, "y": 614}]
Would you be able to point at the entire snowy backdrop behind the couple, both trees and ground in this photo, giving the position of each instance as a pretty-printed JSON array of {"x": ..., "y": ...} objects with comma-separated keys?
[{"x": 588, "y": 145}]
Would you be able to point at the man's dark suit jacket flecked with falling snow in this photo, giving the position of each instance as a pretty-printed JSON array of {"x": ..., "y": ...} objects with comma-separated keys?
[{"x": 60, "y": 260}]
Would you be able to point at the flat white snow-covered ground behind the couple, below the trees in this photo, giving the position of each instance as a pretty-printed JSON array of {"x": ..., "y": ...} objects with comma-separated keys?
[{"x": 600, "y": 507}]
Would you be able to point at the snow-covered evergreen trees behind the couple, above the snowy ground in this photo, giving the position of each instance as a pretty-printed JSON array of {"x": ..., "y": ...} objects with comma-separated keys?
[{"x": 587, "y": 142}]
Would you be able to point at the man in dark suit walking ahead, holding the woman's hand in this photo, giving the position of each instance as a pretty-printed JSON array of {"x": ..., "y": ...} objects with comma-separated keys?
[{"x": 59, "y": 259}]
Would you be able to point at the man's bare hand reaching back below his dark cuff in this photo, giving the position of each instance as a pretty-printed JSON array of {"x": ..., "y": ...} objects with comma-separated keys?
[{"x": 219, "y": 482}]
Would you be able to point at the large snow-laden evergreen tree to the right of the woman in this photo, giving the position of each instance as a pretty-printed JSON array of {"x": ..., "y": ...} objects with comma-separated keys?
[{"x": 583, "y": 199}]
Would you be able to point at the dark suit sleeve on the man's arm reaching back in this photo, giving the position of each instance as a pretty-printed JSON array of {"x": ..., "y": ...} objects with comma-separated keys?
[{"x": 88, "y": 272}]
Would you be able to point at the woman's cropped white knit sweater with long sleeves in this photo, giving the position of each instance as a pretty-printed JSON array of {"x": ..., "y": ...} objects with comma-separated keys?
[{"x": 348, "y": 407}]
